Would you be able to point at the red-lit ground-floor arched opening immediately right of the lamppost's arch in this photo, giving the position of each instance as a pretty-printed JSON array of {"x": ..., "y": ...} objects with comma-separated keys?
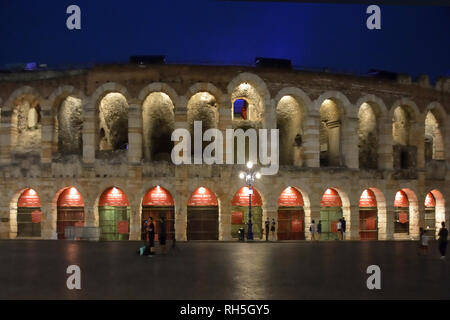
[{"x": 291, "y": 216}]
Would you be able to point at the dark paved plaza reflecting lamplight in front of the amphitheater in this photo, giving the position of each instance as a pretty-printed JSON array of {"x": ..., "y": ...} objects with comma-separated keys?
[{"x": 222, "y": 270}]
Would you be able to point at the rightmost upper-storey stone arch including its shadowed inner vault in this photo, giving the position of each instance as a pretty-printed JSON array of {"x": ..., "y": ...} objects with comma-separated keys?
[{"x": 435, "y": 124}]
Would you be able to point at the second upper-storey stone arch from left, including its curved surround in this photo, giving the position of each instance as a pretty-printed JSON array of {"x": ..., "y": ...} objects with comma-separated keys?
[{"x": 67, "y": 111}]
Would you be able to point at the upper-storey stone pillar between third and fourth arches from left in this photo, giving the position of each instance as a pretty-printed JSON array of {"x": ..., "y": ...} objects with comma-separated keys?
[{"x": 134, "y": 134}]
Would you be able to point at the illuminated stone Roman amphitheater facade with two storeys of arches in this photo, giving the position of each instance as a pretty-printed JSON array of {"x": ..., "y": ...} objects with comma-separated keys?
[{"x": 110, "y": 126}]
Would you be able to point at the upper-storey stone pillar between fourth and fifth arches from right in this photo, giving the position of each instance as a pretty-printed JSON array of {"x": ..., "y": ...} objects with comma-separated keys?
[{"x": 311, "y": 145}]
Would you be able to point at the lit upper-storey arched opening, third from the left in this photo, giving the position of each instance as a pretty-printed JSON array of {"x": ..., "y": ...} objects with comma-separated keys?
[{"x": 113, "y": 122}]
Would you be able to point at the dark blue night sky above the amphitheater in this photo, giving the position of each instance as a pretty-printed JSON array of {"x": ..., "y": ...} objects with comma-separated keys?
[{"x": 413, "y": 39}]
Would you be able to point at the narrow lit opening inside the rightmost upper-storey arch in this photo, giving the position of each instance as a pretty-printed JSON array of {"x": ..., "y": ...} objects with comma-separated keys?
[{"x": 434, "y": 138}]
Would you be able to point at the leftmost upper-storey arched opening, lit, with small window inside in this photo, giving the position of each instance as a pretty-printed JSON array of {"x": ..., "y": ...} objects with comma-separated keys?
[{"x": 26, "y": 124}]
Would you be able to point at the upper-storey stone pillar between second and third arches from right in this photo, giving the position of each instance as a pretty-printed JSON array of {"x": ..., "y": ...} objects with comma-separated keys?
[{"x": 385, "y": 157}]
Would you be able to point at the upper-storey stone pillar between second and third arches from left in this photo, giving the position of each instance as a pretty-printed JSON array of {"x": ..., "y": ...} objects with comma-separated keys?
[{"x": 89, "y": 132}]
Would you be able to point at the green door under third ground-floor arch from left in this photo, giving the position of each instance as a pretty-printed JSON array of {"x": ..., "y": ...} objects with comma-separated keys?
[{"x": 109, "y": 220}]
